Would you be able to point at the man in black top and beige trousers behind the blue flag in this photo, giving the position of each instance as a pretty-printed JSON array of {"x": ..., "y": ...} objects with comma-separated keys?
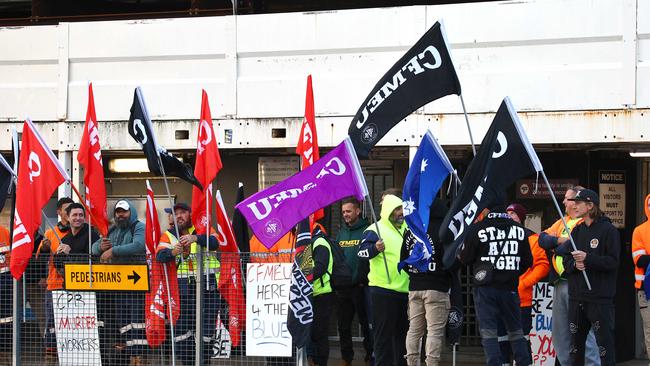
[{"x": 428, "y": 293}]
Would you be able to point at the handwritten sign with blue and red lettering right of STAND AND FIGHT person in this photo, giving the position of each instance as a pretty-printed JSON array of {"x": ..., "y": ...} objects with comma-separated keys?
[{"x": 541, "y": 338}]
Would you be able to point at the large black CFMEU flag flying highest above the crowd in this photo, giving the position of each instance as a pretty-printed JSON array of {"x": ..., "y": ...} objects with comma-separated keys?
[{"x": 425, "y": 73}]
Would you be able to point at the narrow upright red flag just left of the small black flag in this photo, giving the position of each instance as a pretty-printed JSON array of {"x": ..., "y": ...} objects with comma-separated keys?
[{"x": 90, "y": 157}]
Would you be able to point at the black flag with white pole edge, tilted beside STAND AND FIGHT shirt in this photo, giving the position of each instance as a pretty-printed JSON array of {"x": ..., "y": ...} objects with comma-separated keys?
[{"x": 504, "y": 156}]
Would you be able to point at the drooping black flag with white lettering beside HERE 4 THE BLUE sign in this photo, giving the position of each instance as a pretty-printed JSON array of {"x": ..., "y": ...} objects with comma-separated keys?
[{"x": 301, "y": 315}]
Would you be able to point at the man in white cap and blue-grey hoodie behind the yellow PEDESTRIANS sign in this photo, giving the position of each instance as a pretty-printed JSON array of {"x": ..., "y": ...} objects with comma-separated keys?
[{"x": 124, "y": 245}]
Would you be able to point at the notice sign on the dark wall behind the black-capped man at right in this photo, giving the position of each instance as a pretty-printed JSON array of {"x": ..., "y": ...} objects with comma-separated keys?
[{"x": 611, "y": 189}]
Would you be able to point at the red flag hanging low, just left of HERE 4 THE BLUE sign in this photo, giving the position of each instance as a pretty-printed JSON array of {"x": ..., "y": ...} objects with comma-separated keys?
[{"x": 230, "y": 285}]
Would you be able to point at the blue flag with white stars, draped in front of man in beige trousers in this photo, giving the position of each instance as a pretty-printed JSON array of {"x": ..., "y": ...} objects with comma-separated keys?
[{"x": 428, "y": 171}]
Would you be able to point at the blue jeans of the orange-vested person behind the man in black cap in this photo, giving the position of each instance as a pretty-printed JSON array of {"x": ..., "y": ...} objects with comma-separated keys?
[{"x": 560, "y": 326}]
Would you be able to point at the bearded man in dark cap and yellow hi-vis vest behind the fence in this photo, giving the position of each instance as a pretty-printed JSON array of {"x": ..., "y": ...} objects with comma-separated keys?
[{"x": 186, "y": 245}]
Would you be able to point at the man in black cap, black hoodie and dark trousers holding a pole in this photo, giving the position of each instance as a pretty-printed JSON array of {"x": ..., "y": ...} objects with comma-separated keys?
[{"x": 598, "y": 247}]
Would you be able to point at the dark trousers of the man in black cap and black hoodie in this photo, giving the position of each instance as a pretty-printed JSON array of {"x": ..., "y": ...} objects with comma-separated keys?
[{"x": 584, "y": 316}]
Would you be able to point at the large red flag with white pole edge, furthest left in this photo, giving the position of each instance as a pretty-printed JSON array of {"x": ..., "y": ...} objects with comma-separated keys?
[{"x": 39, "y": 174}]
